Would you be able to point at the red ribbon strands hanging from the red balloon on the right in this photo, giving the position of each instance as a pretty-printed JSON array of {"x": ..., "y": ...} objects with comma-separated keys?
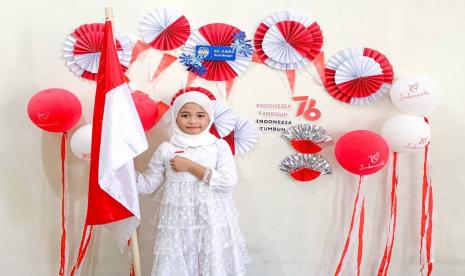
[{"x": 360, "y": 232}]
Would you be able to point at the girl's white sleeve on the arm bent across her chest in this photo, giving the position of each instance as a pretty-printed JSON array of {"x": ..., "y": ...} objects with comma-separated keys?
[{"x": 223, "y": 178}]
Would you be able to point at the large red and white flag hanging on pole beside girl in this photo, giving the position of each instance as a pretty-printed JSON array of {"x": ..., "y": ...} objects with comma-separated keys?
[{"x": 117, "y": 138}]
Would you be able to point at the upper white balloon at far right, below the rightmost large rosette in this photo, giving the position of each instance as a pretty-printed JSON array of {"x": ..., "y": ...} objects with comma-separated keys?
[{"x": 416, "y": 95}]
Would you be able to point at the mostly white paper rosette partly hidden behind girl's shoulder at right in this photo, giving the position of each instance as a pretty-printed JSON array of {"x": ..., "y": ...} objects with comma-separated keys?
[{"x": 243, "y": 138}]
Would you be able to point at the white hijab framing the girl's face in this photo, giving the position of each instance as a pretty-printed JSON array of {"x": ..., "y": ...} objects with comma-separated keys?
[{"x": 184, "y": 140}]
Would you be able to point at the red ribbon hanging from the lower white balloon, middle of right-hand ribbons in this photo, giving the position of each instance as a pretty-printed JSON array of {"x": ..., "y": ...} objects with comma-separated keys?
[{"x": 384, "y": 266}]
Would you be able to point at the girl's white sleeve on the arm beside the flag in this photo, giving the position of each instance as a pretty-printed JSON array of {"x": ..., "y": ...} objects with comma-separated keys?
[{"x": 148, "y": 181}]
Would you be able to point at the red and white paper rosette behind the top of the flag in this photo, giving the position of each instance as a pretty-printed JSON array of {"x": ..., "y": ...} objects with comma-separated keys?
[{"x": 83, "y": 47}]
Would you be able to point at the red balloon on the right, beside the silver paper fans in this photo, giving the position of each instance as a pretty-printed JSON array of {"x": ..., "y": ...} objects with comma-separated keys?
[{"x": 362, "y": 152}]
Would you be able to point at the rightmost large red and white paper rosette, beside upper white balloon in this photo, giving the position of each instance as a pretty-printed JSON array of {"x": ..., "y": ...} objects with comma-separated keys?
[{"x": 358, "y": 76}]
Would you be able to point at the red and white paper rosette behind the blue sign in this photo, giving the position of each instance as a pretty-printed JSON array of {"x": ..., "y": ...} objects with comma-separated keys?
[{"x": 218, "y": 34}]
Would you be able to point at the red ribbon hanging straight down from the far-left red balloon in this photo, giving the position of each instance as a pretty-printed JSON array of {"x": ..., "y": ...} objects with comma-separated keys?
[{"x": 63, "y": 215}]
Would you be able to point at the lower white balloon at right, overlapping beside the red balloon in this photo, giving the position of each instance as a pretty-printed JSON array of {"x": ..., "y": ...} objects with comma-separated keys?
[{"x": 406, "y": 133}]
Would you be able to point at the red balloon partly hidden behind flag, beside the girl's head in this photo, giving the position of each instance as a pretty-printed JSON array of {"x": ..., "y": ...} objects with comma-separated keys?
[{"x": 147, "y": 109}]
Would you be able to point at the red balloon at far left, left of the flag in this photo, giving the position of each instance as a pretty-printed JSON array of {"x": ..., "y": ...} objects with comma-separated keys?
[{"x": 54, "y": 109}]
